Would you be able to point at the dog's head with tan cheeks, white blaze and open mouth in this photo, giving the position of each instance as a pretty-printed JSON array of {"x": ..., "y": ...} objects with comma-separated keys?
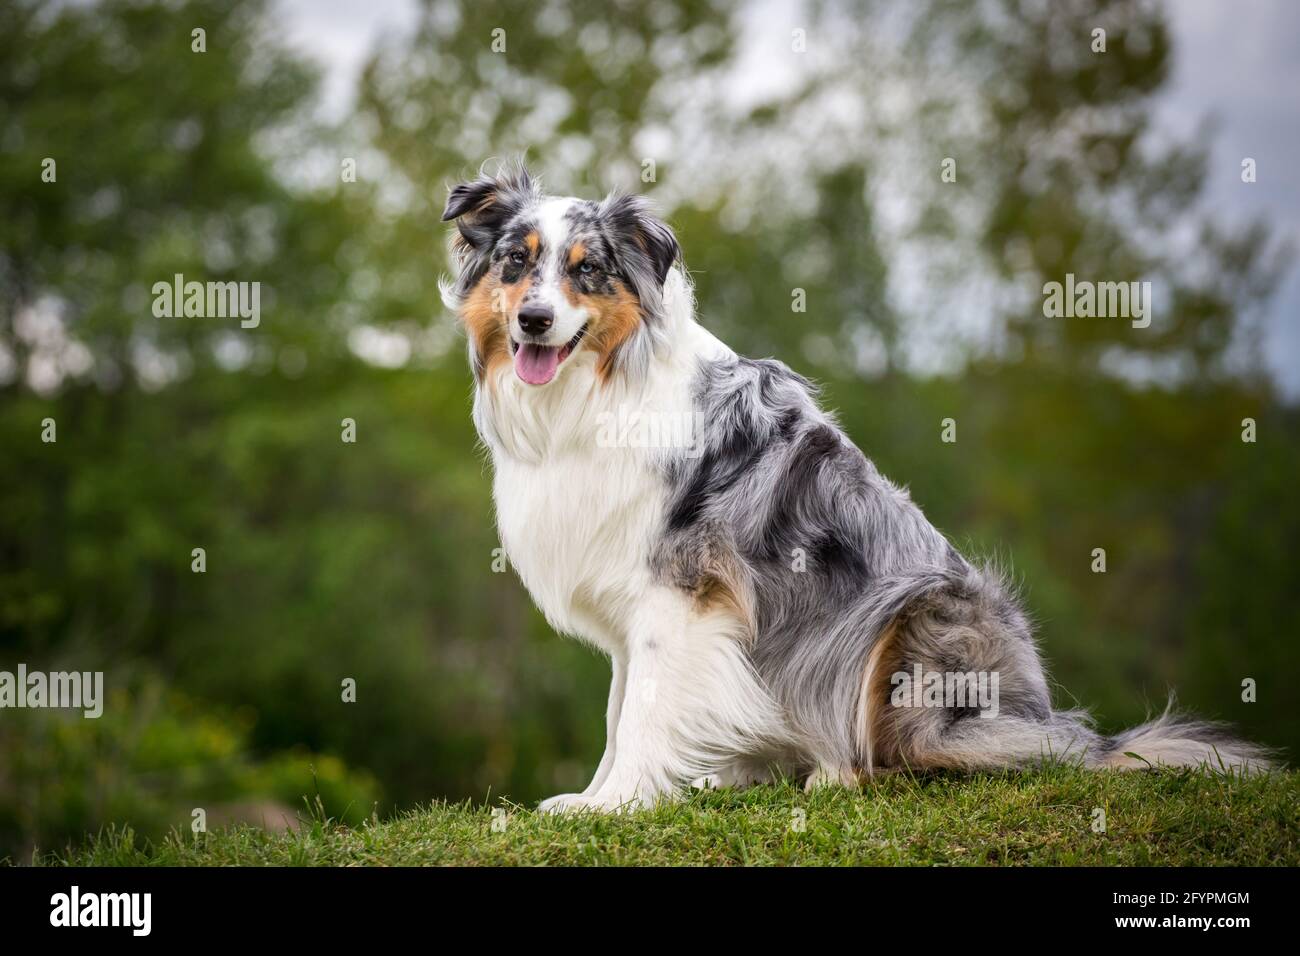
[{"x": 540, "y": 279}]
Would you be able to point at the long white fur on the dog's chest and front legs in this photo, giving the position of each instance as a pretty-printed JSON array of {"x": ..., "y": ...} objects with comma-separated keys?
[{"x": 578, "y": 521}]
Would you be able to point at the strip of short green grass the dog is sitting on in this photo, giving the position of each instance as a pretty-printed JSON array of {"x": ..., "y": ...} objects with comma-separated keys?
[{"x": 1038, "y": 819}]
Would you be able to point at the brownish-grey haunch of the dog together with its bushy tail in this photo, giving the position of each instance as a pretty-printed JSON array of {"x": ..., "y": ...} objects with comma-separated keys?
[{"x": 967, "y": 621}]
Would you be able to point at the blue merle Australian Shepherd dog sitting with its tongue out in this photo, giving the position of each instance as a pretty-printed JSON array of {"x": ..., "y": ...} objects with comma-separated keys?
[{"x": 764, "y": 594}]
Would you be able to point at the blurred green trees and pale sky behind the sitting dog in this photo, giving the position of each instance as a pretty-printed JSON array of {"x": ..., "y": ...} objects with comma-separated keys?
[{"x": 785, "y": 161}]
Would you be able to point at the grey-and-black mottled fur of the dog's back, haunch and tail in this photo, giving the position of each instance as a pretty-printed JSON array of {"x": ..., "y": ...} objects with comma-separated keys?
[{"x": 831, "y": 556}]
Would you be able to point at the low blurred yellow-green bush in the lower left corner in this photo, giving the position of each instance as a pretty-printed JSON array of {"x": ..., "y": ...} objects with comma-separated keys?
[{"x": 153, "y": 759}]
